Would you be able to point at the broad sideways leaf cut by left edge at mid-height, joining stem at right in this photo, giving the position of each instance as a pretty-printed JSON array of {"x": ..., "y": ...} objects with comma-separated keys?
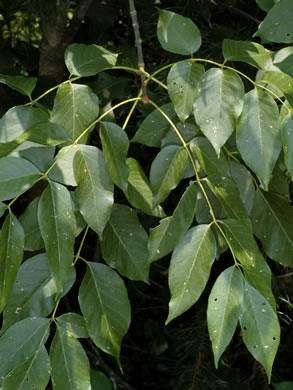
[{"x": 17, "y": 175}]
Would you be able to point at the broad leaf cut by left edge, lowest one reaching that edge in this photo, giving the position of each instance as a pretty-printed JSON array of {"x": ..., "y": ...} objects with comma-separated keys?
[{"x": 20, "y": 342}]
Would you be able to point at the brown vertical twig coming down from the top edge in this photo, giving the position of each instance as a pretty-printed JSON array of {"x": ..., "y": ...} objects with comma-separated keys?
[{"x": 138, "y": 42}]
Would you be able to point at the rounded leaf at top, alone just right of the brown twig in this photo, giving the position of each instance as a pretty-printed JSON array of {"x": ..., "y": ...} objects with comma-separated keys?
[{"x": 177, "y": 34}]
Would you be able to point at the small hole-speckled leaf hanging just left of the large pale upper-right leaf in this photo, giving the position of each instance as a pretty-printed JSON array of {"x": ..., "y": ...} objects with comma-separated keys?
[{"x": 182, "y": 80}]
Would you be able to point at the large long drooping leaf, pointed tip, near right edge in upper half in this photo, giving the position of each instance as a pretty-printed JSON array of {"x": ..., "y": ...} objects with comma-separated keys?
[{"x": 258, "y": 134}]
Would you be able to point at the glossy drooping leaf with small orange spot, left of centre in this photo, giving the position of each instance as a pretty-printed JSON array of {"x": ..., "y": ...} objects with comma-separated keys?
[{"x": 94, "y": 193}]
